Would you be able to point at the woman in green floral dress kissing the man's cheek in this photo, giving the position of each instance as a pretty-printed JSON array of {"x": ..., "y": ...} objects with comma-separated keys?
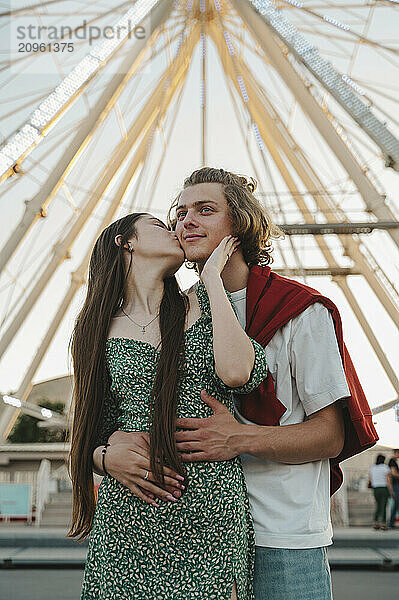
[{"x": 142, "y": 352}]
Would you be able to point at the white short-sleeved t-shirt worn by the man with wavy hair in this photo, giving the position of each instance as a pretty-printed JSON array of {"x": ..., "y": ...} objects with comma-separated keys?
[{"x": 291, "y": 503}]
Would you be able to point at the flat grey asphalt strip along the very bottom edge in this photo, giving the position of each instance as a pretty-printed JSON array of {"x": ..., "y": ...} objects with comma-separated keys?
[{"x": 66, "y": 584}]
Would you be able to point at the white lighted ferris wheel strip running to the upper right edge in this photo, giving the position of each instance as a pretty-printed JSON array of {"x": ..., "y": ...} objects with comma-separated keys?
[{"x": 325, "y": 73}]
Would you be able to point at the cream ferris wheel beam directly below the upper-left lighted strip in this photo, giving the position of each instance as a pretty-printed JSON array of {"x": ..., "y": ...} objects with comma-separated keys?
[{"x": 36, "y": 207}]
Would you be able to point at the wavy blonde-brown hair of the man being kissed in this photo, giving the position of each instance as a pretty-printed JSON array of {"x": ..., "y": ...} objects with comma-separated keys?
[{"x": 250, "y": 221}]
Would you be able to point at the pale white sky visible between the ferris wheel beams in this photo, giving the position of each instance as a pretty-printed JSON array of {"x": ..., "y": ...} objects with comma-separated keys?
[{"x": 176, "y": 152}]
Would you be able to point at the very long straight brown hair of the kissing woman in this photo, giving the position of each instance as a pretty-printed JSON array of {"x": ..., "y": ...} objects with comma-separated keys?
[{"x": 106, "y": 294}]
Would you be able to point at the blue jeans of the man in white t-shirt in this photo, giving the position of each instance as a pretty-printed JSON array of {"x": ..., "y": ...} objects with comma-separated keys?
[{"x": 285, "y": 574}]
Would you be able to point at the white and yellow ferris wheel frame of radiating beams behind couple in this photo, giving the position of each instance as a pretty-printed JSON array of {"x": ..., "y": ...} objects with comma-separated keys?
[{"x": 272, "y": 31}]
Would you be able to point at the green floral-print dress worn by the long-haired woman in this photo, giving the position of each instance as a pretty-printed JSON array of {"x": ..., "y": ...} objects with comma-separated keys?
[{"x": 191, "y": 549}]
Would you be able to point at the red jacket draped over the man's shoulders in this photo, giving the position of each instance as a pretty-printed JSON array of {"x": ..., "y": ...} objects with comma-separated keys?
[{"x": 272, "y": 301}]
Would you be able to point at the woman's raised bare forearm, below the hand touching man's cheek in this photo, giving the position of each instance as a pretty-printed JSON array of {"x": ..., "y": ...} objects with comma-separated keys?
[{"x": 233, "y": 350}]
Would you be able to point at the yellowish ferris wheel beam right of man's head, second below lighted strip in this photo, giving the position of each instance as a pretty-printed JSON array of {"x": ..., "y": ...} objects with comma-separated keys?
[{"x": 268, "y": 120}]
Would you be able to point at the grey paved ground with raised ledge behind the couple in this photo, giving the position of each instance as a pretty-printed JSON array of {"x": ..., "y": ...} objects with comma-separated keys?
[{"x": 376, "y": 552}]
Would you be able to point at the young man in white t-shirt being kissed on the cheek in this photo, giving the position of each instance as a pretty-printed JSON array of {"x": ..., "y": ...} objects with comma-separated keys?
[{"x": 288, "y": 432}]
